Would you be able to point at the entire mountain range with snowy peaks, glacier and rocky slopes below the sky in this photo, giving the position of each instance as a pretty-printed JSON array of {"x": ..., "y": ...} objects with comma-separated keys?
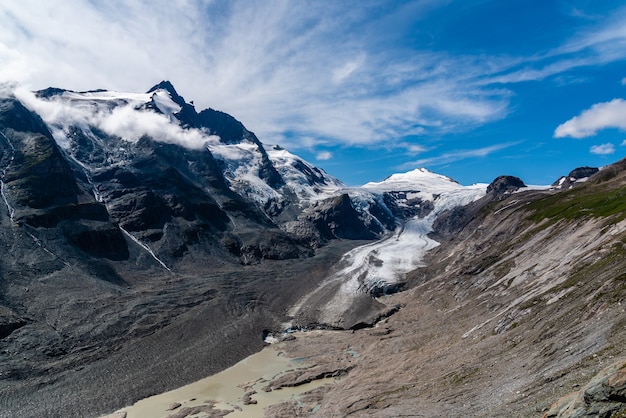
[{"x": 148, "y": 244}]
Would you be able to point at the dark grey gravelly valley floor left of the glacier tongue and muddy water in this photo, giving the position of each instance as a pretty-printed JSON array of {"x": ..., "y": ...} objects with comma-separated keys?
[{"x": 180, "y": 329}]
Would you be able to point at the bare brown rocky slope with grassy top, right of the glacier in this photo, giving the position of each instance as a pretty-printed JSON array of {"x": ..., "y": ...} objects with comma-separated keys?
[{"x": 524, "y": 302}]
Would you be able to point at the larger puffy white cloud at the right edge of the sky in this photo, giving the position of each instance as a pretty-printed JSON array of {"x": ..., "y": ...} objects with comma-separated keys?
[{"x": 600, "y": 116}]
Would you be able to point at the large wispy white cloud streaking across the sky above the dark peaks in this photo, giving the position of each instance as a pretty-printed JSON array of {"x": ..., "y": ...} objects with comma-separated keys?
[{"x": 325, "y": 73}]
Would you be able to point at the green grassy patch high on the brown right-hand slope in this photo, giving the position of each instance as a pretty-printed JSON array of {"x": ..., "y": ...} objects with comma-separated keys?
[{"x": 581, "y": 202}]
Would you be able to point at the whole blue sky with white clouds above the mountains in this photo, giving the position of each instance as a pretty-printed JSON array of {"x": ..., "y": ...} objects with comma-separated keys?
[{"x": 471, "y": 89}]
